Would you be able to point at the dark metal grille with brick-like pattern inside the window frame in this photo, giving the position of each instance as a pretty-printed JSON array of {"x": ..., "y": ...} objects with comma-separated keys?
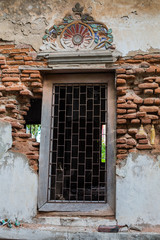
[{"x": 77, "y": 170}]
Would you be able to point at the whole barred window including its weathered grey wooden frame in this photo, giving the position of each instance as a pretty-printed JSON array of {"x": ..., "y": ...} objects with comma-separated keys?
[{"x": 74, "y": 159}]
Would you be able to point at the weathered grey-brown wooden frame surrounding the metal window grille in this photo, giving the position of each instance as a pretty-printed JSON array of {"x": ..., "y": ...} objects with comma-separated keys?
[{"x": 43, "y": 204}]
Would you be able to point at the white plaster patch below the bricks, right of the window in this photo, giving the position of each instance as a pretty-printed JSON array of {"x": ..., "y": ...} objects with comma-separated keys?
[{"x": 137, "y": 191}]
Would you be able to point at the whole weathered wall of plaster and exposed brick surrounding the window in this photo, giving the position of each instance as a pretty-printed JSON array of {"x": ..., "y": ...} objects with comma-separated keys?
[{"x": 135, "y": 26}]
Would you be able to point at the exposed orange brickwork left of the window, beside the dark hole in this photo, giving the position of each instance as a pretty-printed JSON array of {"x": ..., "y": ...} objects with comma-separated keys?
[{"x": 16, "y": 89}]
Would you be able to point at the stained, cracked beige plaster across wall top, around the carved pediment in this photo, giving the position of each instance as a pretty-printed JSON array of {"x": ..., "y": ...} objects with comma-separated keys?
[{"x": 135, "y": 24}]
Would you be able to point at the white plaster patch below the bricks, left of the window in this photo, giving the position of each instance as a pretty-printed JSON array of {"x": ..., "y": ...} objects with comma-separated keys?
[{"x": 18, "y": 189}]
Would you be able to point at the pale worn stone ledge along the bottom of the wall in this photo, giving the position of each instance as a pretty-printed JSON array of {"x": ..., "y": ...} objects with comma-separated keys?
[{"x": 67, "y": 233}]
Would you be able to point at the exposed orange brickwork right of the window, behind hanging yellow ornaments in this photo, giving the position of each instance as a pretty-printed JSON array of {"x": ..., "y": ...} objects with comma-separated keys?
[{"x": 138, "y": 103}]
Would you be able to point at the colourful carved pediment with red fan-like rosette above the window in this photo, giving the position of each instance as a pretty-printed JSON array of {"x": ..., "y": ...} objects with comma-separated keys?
[{"x": 77, "y": 32}]
